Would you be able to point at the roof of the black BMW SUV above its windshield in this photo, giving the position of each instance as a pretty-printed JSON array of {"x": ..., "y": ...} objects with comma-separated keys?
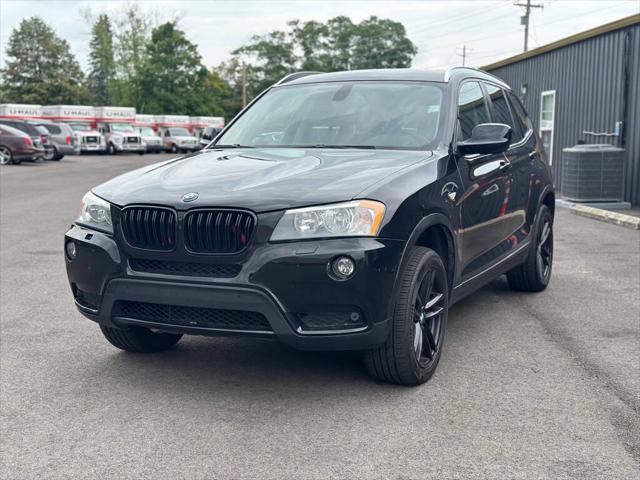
[{"x": 442, "y": 75}]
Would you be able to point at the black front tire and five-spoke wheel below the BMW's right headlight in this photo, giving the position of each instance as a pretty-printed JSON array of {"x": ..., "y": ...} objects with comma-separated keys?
[{"x": 410, "y": 355}]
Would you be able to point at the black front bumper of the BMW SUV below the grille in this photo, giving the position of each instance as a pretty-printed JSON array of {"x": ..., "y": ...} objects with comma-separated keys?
[{"x": 286, "y": 283}]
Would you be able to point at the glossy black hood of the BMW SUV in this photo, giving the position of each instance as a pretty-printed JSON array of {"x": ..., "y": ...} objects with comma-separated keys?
[{"x": 259, "y": 179}]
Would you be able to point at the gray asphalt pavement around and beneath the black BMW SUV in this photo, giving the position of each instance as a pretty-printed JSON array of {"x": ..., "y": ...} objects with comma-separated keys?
[{"x": 529, "y": 386}]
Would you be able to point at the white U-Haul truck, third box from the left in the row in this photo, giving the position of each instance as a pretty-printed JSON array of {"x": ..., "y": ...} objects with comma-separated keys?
[{"x": 116, "y": 124}]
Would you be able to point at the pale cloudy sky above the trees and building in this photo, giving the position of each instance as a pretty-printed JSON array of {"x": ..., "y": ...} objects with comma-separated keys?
[{"x": 490, "y": 29}]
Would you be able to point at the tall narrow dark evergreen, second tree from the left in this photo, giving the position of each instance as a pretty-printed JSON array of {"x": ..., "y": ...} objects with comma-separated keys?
[{"x": 101, "y": 61}]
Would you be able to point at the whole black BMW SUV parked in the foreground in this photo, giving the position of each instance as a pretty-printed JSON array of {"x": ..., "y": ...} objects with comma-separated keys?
[{"x": 338, "y": 211}]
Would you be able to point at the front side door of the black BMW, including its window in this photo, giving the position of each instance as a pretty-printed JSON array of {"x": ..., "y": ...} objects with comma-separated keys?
[{"x": 485, "y": 223}]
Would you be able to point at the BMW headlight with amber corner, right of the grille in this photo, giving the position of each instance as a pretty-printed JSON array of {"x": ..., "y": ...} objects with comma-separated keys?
[{"x": 360, "y": 218}]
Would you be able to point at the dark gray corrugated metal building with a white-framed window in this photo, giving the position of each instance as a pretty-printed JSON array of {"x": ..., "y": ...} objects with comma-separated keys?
[{"x": 584, "y": 88}]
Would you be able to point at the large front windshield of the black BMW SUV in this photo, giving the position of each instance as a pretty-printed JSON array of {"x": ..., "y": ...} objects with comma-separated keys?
[{"x": 394, "y": 115}]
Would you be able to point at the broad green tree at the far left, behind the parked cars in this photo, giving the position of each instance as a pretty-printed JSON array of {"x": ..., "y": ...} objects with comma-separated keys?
[{"x": 40, "y": 67}]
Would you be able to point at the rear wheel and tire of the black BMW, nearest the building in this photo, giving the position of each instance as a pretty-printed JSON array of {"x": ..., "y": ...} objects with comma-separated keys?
[{"x": 534, "y": 274}]
